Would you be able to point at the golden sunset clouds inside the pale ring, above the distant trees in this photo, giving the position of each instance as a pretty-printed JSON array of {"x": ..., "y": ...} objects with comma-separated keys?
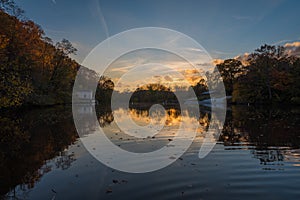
[{"x": 130, "y": 72}]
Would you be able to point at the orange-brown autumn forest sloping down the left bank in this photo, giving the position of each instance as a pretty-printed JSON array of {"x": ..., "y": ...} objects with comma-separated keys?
[{"x": 34, "y": 71}]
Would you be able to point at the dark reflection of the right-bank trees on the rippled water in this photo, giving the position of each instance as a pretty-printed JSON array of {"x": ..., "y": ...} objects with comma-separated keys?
[{"x": 267, "y": 129}]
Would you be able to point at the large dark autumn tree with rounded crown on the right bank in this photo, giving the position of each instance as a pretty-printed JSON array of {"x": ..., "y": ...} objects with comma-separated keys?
[{"x": 272, "y": 77}]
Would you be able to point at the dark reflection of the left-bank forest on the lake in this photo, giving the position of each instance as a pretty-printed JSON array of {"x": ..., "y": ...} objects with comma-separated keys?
[{"x": 27, "y": 140}]
